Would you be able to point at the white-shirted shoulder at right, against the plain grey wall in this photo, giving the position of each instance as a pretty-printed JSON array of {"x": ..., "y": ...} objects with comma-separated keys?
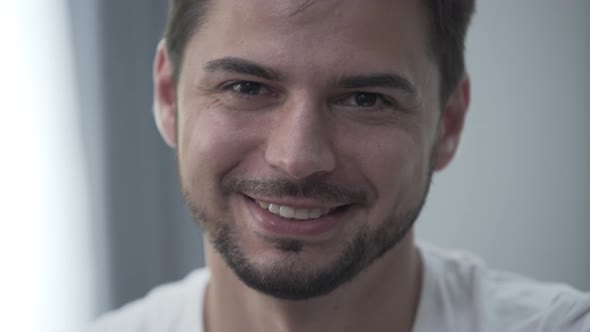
[{"x": 468, "y": 294}]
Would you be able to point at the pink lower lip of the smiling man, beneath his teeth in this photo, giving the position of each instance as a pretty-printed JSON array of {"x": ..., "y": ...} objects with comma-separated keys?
[{"x": 270, "y": 224}]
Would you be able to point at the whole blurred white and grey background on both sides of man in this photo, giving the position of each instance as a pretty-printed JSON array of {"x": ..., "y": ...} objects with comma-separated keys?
[{"x": 91, "y": 214}]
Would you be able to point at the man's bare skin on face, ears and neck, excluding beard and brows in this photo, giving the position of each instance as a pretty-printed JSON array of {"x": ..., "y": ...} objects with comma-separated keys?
[{"x": 305, "y": 124}]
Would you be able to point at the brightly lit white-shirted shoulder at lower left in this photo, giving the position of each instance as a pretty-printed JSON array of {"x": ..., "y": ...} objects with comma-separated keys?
[{"x": 170, "y": 307}]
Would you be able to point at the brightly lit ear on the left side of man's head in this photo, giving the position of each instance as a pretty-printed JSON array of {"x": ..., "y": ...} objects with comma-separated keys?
[{"x": 165, "y": 95}]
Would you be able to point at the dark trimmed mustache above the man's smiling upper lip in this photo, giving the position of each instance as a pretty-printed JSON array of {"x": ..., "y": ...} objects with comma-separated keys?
[{"x": 308, "y": 188}]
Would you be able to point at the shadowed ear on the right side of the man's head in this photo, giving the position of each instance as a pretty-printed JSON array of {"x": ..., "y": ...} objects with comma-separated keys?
[{"x": 451, "y": 124}]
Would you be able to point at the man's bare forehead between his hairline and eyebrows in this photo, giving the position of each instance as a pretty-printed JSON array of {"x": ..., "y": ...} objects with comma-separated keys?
[{"x": 306, "y": 35}]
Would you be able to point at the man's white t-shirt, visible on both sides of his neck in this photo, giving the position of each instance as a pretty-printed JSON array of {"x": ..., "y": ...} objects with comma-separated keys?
[{"x": 458, "y": 294}]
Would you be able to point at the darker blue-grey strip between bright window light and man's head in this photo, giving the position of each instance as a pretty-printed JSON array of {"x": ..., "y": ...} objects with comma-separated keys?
[{"x": 147, "y": 221}]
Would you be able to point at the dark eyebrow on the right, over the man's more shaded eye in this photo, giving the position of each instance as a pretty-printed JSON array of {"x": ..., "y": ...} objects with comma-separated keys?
[{"x": 376, "y": 81}]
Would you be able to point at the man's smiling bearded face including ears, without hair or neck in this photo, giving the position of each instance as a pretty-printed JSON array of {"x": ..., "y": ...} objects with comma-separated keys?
[{"x": 306, "y": 135}]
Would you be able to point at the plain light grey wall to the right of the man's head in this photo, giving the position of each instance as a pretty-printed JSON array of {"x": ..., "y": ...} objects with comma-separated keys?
[{"x": 519, "y": 192}]
